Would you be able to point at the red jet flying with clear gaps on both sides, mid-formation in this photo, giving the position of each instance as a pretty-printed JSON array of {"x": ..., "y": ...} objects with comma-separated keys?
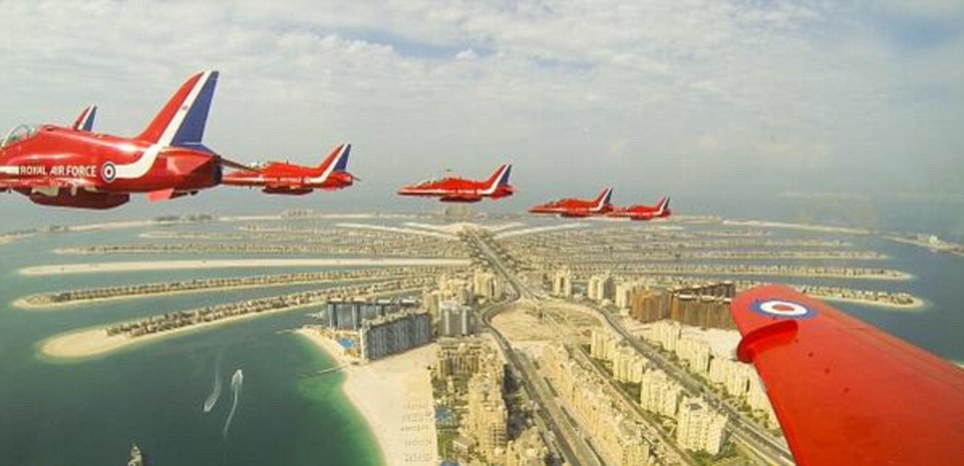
[{"x": 462, "y": 190}]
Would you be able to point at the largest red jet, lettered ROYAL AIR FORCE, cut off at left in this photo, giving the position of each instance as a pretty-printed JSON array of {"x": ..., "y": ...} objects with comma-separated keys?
[{"x": 74, "y": 167}]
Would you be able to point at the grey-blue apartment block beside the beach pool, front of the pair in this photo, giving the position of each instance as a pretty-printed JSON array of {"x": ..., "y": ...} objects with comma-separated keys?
[{"x": 394, "y": 333}]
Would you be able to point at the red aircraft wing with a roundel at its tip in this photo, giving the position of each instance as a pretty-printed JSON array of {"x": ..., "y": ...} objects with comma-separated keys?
[{"x": 845, "y": 392}]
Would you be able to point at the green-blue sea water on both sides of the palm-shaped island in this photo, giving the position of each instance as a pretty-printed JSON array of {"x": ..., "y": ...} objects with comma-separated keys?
[{"x": 89, "y": 412}]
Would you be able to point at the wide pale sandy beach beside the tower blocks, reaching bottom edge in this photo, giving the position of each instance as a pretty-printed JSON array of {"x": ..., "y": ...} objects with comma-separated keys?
[{"x": 395, "y": 396}]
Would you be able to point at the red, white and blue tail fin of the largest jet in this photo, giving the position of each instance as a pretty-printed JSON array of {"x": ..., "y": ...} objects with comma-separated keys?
[{"x": 182, "y": 120}]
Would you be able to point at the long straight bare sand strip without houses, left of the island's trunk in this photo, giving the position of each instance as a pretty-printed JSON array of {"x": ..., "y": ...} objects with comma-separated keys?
[{"x": 147, "y": 266}]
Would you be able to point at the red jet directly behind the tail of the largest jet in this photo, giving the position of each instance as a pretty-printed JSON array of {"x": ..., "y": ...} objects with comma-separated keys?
[{"x": 291, "y": 179}]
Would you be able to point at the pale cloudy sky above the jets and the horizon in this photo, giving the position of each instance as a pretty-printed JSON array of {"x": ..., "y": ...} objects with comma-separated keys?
[{"x": 681, "y": 96}]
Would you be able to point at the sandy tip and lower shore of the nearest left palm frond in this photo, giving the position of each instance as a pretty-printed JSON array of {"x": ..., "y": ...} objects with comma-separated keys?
[{"x": 94, "y": 342}]
